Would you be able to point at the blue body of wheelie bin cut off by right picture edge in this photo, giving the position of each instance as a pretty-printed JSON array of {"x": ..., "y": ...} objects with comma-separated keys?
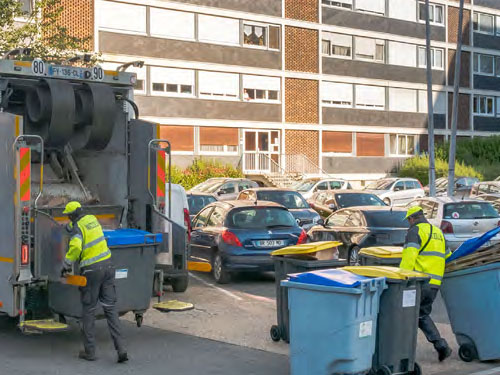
[{"x": 472, "y": 298}]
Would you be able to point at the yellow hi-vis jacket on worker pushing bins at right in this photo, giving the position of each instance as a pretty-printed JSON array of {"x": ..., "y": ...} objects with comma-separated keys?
[{"x": 424, "y": 252}]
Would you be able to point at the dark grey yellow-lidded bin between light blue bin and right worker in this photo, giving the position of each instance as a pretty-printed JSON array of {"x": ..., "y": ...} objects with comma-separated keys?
[{"x": 397, "y": 329}]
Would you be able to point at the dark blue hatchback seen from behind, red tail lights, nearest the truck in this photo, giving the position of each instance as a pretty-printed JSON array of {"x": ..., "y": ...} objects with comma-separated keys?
[{"x": 239, "y": 236}]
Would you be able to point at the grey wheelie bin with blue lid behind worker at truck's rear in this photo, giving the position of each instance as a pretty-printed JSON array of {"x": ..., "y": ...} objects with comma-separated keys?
[{"x": 133, "y": 253}]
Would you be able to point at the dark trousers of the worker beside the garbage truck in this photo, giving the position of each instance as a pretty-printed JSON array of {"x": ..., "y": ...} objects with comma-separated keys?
[{"x": 100, "y": 288}]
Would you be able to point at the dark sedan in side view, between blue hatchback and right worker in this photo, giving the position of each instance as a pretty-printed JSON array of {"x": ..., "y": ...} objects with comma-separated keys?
[{"x": 360, "y": 227}]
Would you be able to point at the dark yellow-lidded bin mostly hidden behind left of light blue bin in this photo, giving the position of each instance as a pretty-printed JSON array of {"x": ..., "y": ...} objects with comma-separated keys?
[{"x": 294, "y": 259}]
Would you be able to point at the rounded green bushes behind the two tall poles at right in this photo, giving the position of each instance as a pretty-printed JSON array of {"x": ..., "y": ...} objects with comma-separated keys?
[{"x": 418, "y": 167}]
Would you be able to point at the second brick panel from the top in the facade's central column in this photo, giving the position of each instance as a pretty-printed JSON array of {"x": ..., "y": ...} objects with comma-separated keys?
[{"x": 301, "y": 49}]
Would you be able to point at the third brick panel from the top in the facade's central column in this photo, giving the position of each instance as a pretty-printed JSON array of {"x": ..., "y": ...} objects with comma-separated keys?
[{"x": 301, "y": 101}]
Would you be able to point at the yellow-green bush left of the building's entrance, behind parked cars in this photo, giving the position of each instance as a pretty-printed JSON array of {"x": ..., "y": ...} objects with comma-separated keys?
[{"x": 201, "y": 170}]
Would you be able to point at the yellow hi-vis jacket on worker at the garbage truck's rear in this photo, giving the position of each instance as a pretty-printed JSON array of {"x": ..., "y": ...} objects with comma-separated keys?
[{"x": 87, "y": 244}]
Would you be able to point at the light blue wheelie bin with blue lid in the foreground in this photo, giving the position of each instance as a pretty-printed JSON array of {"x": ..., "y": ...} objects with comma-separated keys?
[{"x": 333, "y": 320}]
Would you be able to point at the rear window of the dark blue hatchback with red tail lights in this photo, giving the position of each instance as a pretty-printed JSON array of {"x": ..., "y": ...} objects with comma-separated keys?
[{"x": 260, "y": 218}]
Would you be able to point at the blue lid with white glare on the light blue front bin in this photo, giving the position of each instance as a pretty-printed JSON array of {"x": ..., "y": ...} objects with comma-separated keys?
[{"x": 329, "y": 277}]
